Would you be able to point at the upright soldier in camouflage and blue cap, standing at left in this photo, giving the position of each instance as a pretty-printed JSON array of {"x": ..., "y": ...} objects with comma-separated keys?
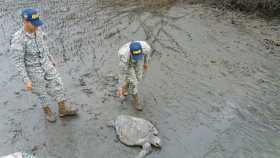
[{"x": 36, "y": 65}]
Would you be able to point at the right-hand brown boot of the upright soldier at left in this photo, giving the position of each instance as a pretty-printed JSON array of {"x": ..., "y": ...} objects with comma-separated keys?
[{"x": 66, "y": 110}]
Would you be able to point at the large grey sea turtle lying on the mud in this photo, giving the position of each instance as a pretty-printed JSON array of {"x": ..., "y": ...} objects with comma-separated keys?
[{"x": 133, "y": 131}]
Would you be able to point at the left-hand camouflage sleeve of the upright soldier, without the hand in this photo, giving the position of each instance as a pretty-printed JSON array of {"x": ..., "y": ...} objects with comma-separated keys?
[{"x": 17, "y": 56}]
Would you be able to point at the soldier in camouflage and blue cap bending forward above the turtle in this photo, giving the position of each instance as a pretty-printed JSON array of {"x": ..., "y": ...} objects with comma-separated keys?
[{"x": 134, "y": 57}]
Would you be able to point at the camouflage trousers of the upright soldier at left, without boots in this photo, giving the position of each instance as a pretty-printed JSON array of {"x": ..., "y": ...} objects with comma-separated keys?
[{"x": 46, "y": 82}]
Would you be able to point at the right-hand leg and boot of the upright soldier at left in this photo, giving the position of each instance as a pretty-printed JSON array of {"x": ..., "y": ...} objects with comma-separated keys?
[{"x": 56, "y": 91}]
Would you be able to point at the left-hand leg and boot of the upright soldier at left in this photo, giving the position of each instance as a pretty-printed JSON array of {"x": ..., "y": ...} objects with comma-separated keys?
[{"x": 36, "y": 76}]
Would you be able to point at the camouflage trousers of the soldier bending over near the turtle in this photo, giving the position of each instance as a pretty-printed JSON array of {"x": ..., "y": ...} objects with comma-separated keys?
[{"x": 133, "y": 77}]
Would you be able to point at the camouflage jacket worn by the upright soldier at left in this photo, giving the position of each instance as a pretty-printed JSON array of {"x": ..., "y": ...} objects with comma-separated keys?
[{"x": 29, "y": 50}]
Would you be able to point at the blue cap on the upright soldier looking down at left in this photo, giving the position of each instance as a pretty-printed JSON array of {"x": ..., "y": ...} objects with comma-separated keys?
[{"x": 32, "y": 15}]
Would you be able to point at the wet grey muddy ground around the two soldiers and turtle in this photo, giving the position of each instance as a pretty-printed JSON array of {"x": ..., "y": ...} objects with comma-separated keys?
[{"x": 212, "y": 88}]
